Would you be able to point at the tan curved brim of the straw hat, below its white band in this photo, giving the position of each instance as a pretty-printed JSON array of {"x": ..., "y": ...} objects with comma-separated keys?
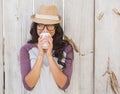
[{"x": 45, "y": 21}]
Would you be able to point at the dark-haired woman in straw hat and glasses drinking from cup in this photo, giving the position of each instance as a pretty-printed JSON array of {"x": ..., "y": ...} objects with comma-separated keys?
[{"x": 46, "y": 70}]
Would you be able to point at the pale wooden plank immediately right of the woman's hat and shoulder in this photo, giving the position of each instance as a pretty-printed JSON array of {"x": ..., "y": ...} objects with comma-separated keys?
[{"x": 79, "y": 25}]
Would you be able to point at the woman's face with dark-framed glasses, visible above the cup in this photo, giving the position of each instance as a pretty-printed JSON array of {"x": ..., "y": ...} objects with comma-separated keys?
[{"x": 46, "y": 28}]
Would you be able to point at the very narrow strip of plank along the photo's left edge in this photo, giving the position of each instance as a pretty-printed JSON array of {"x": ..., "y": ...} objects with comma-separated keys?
[{"x": 1, "y": 47}]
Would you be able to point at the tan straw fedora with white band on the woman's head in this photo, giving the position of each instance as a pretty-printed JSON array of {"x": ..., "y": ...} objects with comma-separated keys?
[{"x": 46, "y": 15}]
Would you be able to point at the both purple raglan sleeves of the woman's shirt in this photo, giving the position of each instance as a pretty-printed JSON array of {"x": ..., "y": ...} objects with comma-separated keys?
[{"x": 25, "y": 63}]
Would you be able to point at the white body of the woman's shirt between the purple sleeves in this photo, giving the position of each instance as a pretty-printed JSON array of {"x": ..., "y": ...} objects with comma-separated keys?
[{"x": 46, "y": 84}]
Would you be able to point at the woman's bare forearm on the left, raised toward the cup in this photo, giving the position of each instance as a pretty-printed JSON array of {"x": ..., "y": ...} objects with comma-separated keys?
[{"x": 33, "y": 76}]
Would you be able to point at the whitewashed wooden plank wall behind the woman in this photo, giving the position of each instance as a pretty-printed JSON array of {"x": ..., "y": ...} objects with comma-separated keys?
[{"x": 92, "y": 24}]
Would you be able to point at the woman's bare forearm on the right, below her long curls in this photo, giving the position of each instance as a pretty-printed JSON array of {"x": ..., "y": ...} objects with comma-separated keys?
[{"x": 59, "y": 77}]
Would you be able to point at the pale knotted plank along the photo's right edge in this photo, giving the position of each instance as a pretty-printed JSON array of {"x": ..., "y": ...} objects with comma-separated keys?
[{"x": 107, "y": 44}]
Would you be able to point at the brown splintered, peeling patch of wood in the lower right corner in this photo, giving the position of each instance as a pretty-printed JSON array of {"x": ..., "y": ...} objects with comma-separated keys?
[{"x": 113, "y": 79}]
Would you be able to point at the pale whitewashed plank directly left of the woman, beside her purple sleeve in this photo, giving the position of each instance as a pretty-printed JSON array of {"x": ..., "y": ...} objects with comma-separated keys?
[{"x": 16, "y": 30}]
